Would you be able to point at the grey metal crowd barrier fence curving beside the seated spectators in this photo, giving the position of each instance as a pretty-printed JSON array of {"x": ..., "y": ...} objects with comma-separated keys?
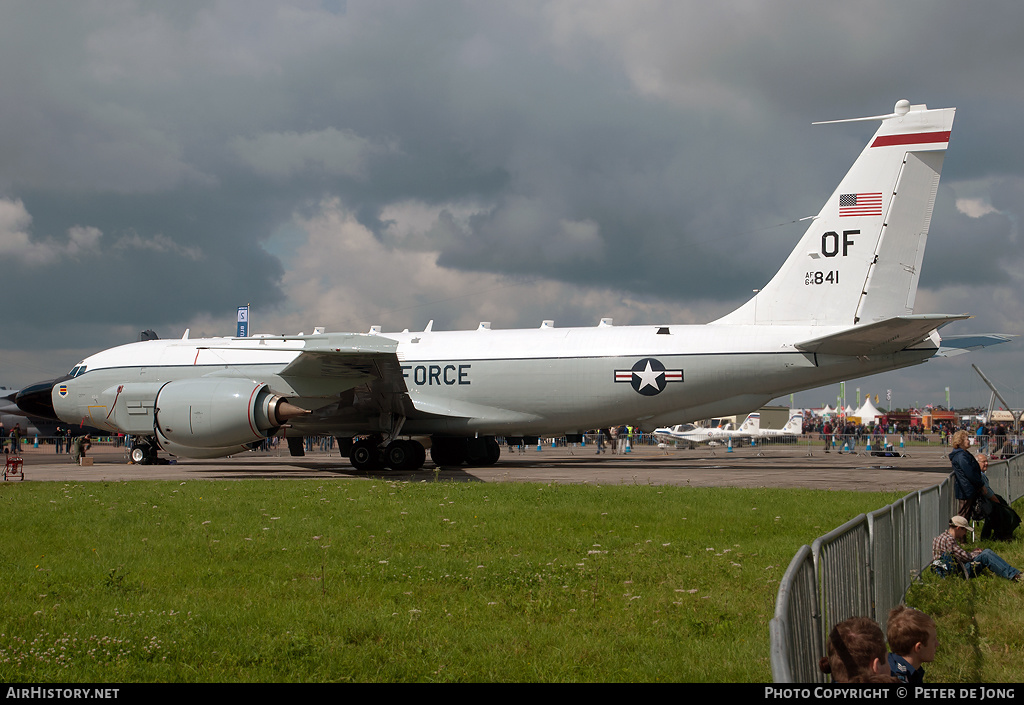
[{"x": 864, "y": 568}]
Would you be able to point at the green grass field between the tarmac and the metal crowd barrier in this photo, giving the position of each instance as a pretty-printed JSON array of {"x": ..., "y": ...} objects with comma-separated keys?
[{"x": 378, "y": 582}]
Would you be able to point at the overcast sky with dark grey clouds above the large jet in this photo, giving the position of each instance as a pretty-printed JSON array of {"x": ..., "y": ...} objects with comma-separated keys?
[{"x": 349, "y": 164}]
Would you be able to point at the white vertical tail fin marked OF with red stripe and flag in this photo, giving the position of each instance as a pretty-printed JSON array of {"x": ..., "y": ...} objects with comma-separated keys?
[{"x": 860, "y": 262}]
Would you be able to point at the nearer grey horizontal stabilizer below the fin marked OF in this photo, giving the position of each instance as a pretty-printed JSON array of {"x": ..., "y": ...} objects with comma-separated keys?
[{"x": 884, "y": 338}]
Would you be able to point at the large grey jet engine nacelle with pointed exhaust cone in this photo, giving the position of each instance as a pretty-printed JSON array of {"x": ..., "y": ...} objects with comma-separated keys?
[{"x": 208, "y": 419}]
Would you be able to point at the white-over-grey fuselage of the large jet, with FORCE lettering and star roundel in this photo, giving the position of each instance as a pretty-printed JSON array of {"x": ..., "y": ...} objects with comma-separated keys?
[{"x": 533, "y": 382}]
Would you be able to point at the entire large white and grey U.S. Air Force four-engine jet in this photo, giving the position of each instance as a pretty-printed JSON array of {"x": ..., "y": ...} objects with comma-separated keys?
[{"x": 840, "y": 308}]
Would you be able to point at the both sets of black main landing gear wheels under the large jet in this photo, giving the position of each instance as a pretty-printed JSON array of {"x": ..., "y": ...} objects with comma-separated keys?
[{"x": 369, "y": 454}]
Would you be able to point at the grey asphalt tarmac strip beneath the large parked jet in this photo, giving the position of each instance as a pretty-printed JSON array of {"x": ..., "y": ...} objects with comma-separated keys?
[{"x": 800, "y": 466}]
